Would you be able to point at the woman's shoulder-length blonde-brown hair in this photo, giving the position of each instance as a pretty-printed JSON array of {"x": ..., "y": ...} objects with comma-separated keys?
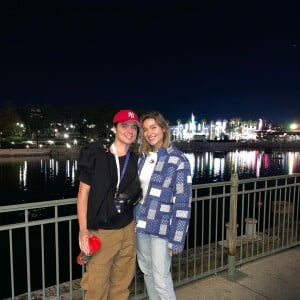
[{"x": 145, "y": 147}]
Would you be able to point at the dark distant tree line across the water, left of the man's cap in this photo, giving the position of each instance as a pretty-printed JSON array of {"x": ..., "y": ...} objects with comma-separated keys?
[{"x": 39, "y": 117}]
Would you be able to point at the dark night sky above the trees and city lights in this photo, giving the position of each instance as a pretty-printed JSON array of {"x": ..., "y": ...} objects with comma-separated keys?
[{"x": 221, "y": 59}]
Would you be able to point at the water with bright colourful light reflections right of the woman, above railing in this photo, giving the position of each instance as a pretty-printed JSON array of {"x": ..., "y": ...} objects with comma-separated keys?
[{"x": 218, "y": 166}]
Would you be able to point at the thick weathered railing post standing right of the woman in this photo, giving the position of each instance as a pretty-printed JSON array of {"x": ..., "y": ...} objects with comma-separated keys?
[{"x": 232, "y": 238}]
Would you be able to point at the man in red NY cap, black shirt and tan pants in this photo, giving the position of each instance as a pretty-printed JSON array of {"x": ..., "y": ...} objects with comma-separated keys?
[{"x": 105, "y": 175}]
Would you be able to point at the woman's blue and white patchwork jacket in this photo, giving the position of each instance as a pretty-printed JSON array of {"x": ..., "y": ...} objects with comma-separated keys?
[{"x": 166, "y": 209}]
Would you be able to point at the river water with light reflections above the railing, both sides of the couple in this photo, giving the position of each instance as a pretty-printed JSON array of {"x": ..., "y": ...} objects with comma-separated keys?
[{"x": 34, "y": 179}]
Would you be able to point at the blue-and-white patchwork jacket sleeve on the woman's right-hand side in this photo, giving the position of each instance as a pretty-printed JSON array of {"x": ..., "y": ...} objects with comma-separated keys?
[{"x": 181, "y": 206}]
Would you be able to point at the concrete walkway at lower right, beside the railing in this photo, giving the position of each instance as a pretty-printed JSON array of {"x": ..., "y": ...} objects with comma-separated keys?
[{"x": 275, "y": 277}]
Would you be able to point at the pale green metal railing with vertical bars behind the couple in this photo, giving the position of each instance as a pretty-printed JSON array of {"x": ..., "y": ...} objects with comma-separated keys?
[{"x": 232, "y": 223}]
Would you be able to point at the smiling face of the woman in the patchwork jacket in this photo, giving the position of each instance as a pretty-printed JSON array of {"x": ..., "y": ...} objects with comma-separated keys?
[{"x": 153, "y": 133}]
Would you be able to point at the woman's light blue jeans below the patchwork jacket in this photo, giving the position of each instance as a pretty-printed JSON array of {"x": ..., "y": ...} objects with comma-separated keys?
[{"x": 155, "y": 262}]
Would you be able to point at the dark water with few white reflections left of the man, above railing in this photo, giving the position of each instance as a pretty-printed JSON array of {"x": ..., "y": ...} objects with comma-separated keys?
[{"x": 34, "y": 179}]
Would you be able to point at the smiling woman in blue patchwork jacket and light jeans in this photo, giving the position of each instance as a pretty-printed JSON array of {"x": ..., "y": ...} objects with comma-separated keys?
[{"x": 164, "y": 212}]
